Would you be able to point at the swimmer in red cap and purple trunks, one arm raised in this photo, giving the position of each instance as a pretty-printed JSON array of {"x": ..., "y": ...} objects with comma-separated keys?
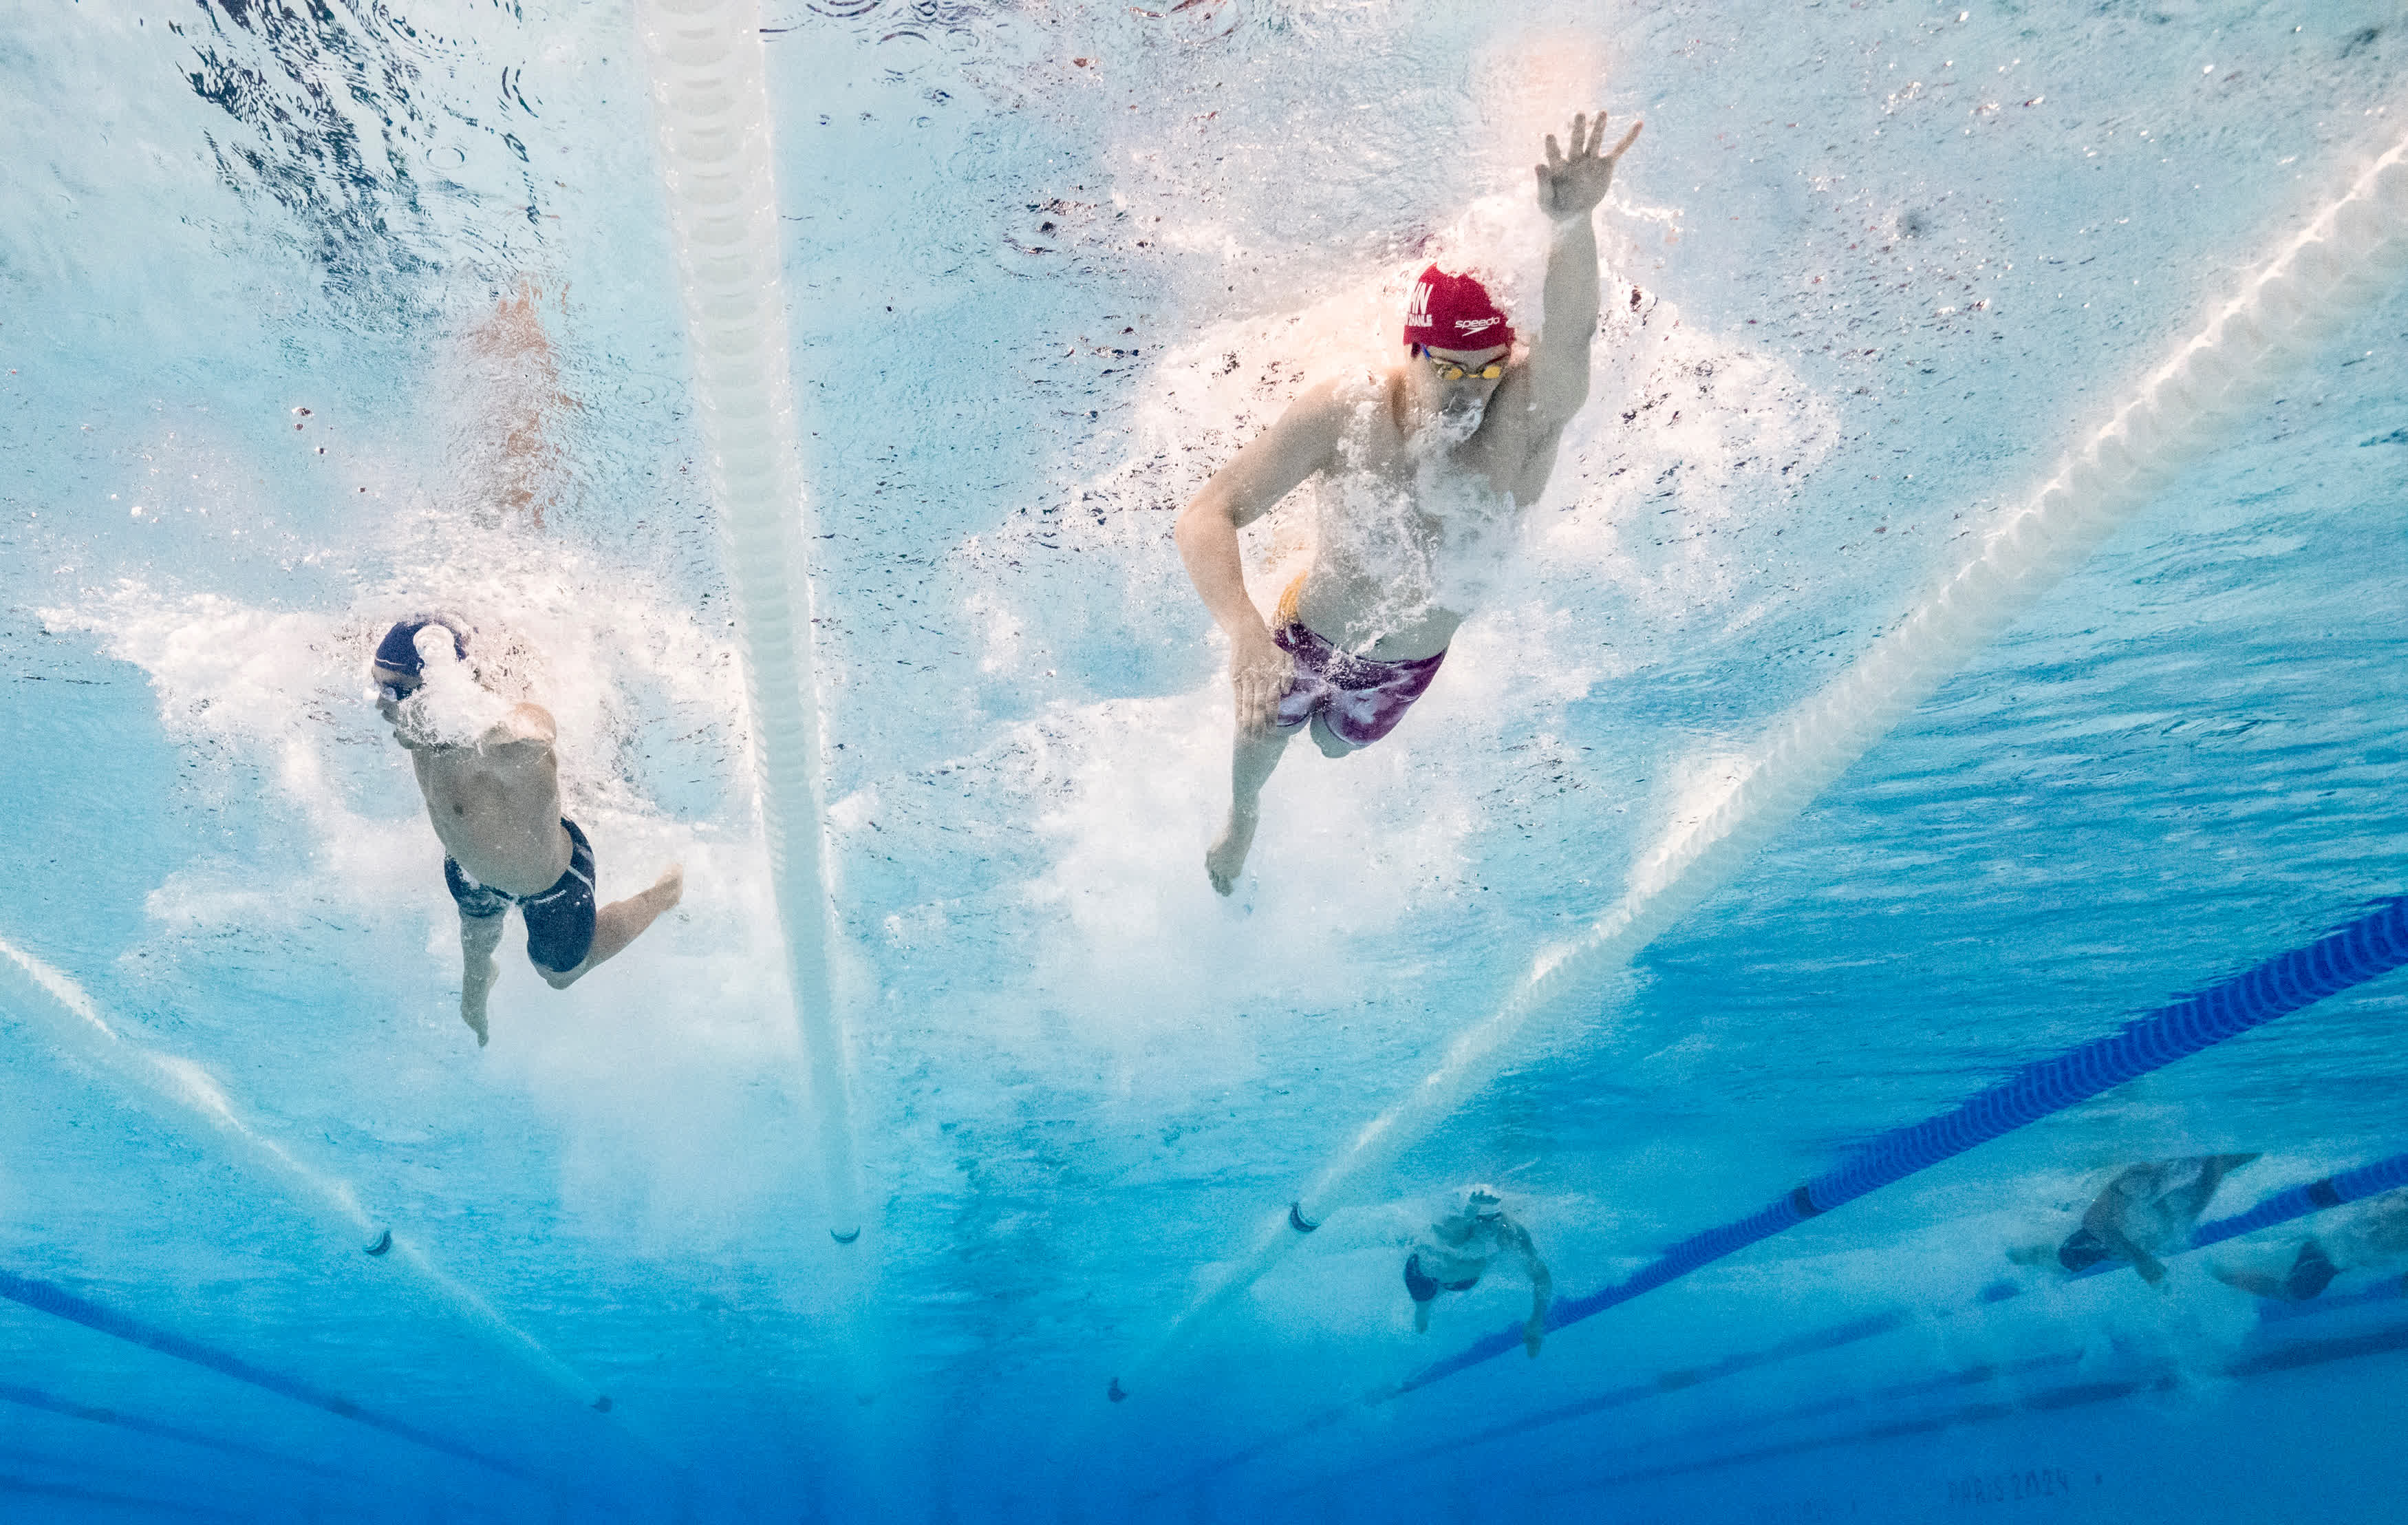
[{"x": 1422, "y": 461}]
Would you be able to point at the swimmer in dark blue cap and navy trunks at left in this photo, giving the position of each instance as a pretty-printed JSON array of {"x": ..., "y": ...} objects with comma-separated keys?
[{"x": 495, "y": 799}]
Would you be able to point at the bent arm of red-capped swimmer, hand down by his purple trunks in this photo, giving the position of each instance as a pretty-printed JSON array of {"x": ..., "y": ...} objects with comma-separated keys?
[{"x": 1251, "y": 485}]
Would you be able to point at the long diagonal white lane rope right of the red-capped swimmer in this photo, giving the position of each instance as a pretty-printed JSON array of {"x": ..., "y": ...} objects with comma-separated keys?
[{"x": 2335, "y": 271}]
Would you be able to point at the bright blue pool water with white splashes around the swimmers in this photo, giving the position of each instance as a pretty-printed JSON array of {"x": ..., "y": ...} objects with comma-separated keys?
[{"x": 321, "y": 314}]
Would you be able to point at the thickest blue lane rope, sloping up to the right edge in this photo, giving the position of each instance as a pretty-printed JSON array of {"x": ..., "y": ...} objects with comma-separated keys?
[{"x": 2371, "y": 946}]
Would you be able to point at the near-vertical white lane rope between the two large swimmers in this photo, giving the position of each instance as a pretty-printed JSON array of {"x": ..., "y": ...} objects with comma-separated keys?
[{"x": 716, "y": 155}]
